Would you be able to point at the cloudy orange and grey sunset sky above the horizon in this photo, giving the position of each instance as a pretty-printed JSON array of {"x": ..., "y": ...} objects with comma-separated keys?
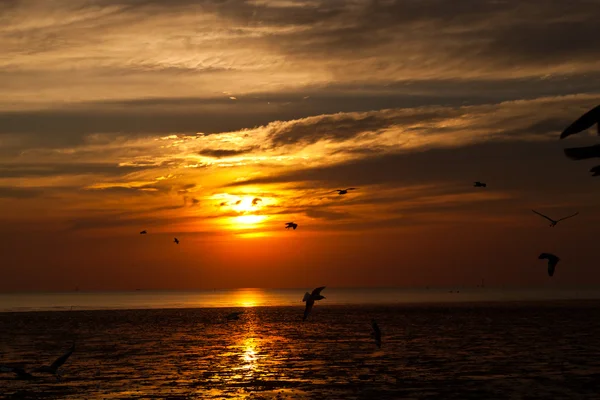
[{"x": 218, "y": 121}]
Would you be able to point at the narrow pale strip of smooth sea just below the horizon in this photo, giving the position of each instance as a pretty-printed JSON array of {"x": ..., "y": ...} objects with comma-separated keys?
[{"x": 251, "y": 297}]
